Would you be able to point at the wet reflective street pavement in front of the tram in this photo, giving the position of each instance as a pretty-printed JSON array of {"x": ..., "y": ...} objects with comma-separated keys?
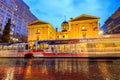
[{"x": 59, "y": 69}]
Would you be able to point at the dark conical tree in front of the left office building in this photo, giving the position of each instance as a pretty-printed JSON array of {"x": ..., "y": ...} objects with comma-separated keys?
[{"x": 6, "y": 32}]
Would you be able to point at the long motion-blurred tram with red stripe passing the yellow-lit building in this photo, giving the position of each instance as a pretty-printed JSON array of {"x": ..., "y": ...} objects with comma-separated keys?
[{"x": 107, "y": 45}]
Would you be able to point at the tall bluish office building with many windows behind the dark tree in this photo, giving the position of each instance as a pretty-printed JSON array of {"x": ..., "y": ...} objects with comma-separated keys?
[{"x": 20, "y": 16}]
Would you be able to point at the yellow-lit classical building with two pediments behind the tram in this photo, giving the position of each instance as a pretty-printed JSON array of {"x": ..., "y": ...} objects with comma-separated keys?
[{"x": 83, "y": 26}]
